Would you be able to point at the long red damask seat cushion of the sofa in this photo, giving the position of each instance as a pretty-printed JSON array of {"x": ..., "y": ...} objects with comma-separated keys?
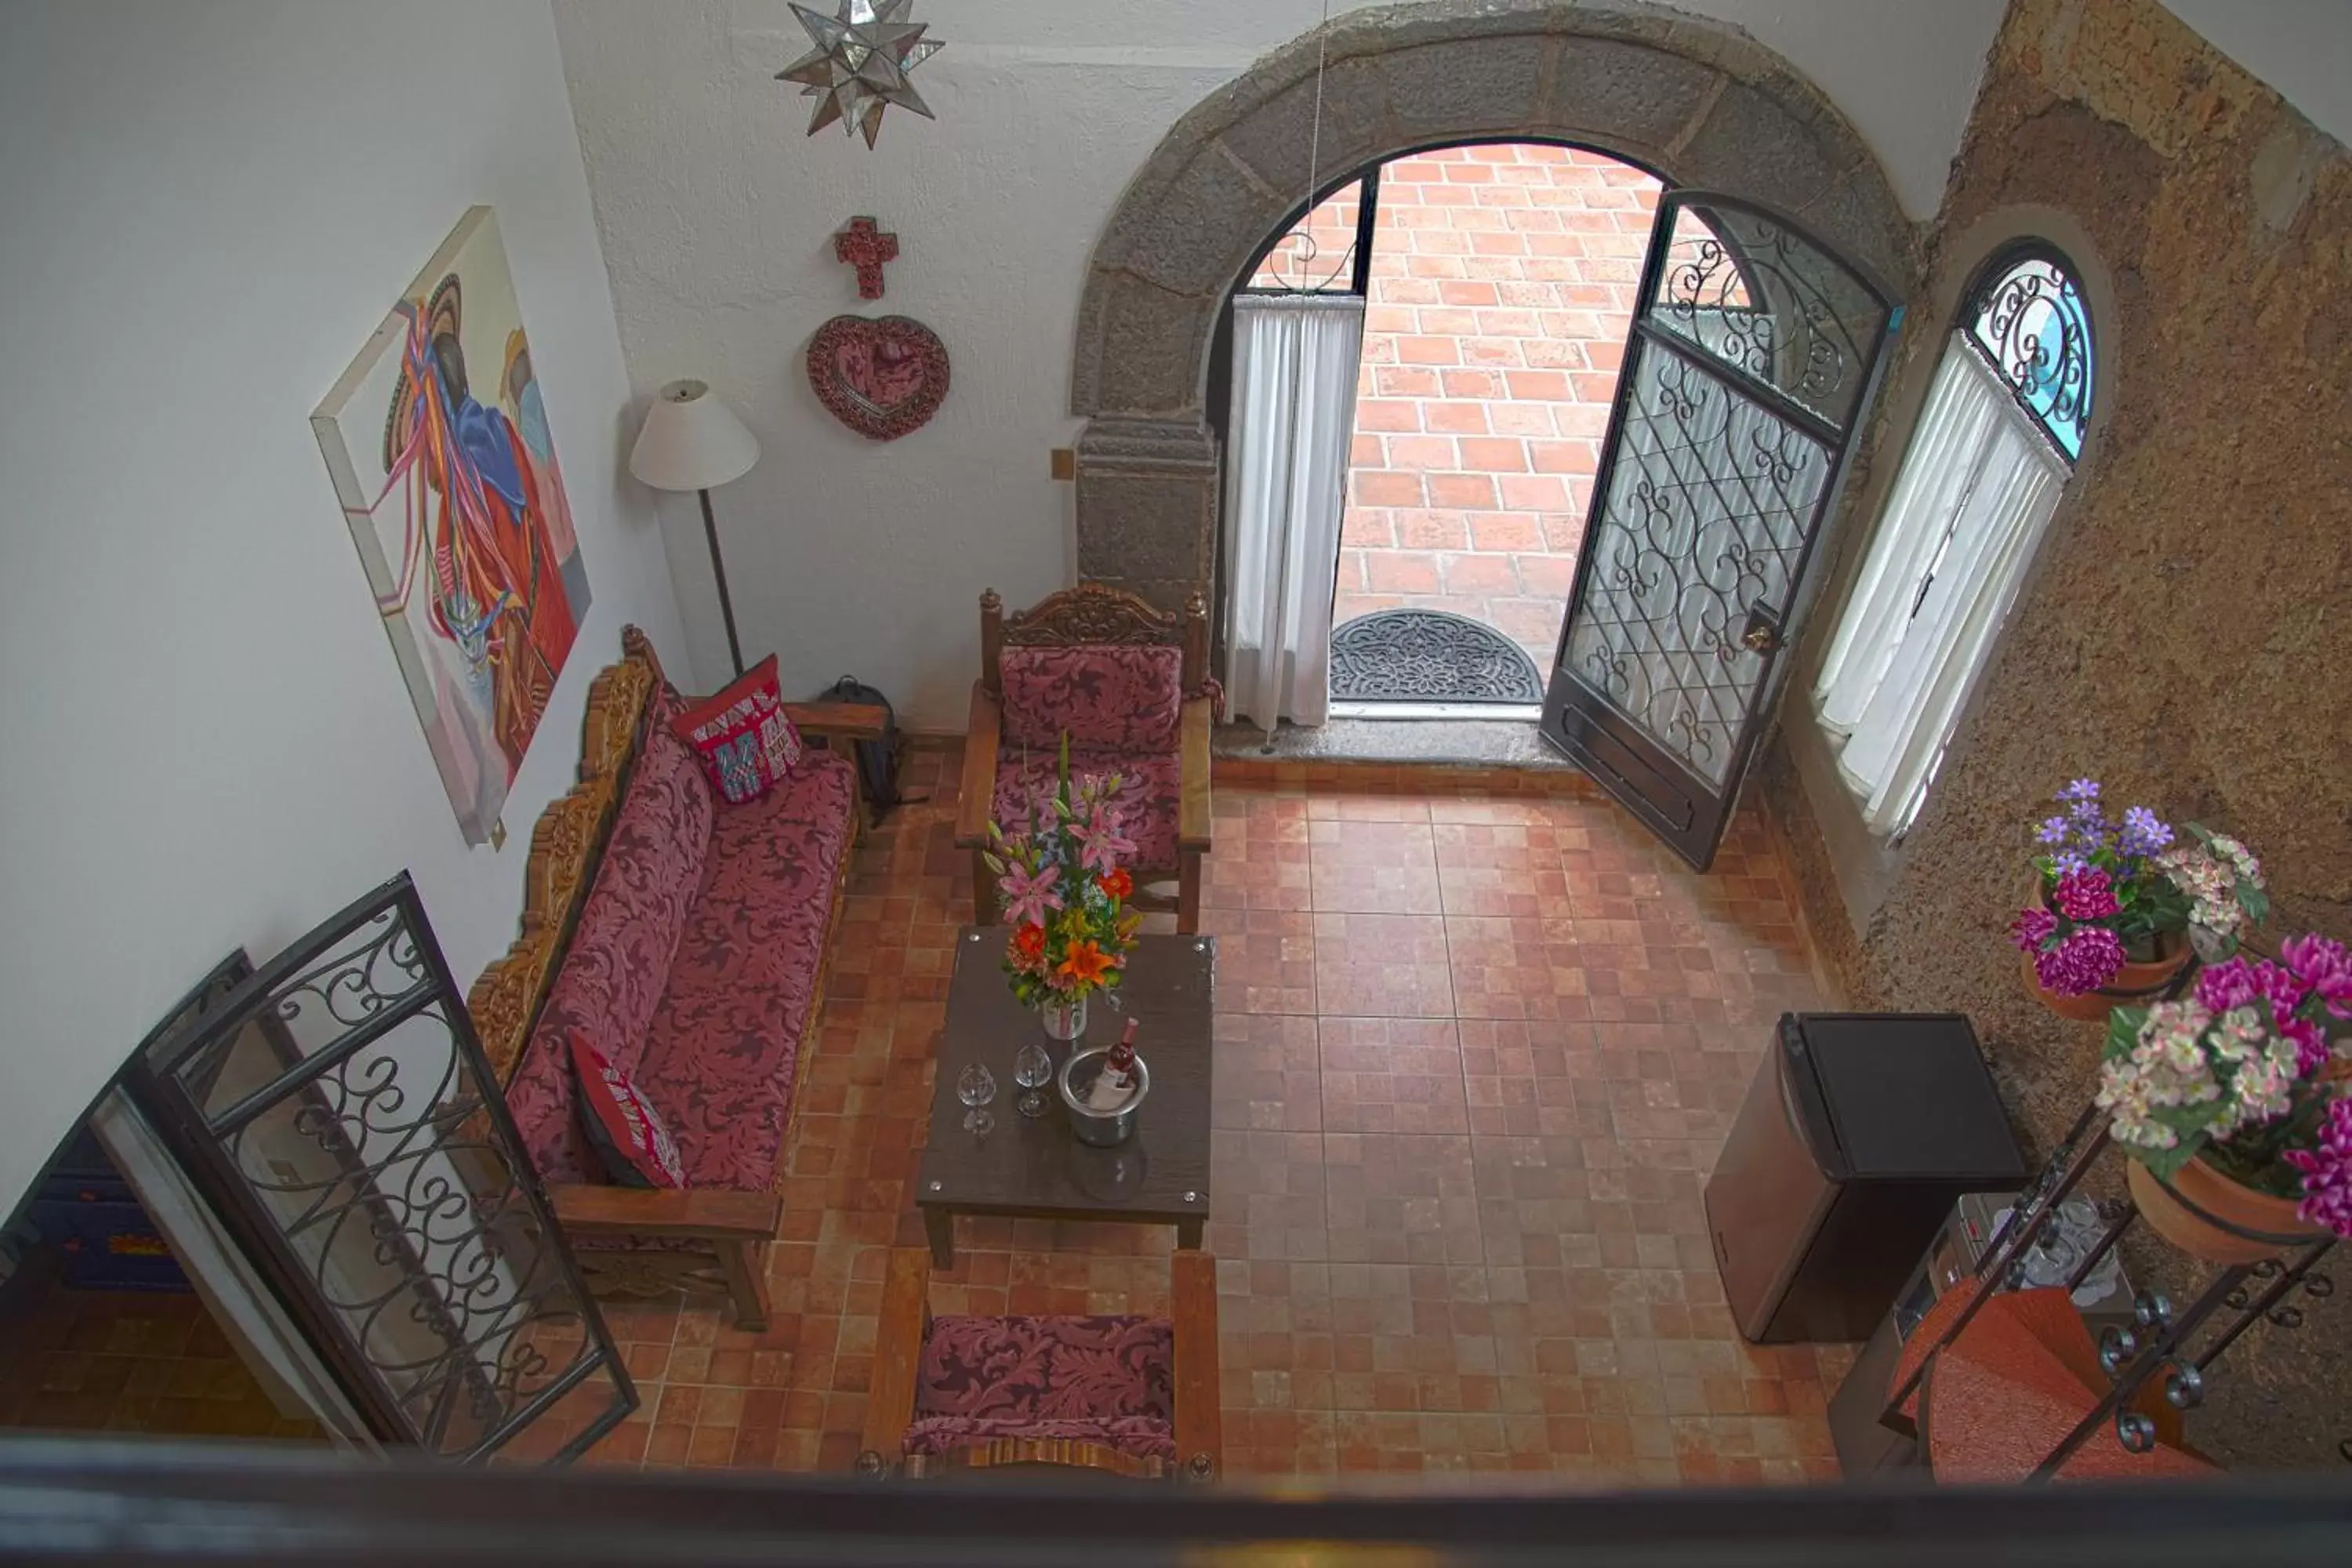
[{"x": 726, "y": 1040}]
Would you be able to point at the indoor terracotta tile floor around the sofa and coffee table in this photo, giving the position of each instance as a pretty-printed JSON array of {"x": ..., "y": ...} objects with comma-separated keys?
[{"x": 1476, "y": 1054}]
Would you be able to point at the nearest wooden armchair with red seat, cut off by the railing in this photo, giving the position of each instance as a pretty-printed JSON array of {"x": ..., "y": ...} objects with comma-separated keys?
[{"x": 1031, "y": 1393}]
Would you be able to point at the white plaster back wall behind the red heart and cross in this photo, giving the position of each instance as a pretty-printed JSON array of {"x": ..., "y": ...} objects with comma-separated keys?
[{"x": 716, "y": 217}]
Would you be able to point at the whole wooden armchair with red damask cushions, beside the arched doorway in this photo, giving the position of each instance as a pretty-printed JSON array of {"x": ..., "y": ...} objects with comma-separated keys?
[{"x": 1130, "y": 685}]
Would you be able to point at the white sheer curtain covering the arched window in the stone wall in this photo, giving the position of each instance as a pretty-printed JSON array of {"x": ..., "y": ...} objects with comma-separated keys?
[{"x": 1960, "y": 528}]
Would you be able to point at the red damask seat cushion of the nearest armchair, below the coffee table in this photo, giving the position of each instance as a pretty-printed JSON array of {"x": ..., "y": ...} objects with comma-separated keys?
[{"x": 1095, "y": 1379}]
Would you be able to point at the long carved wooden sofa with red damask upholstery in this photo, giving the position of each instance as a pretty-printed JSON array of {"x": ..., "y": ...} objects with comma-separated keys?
[{"x": 690, "y": 942}]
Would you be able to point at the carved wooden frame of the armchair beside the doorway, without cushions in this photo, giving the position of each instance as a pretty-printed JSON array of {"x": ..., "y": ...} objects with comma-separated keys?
[{"x": 1076, "y": 617}]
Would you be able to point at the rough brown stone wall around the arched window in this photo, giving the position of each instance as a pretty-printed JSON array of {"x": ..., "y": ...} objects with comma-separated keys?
[{"x": 2191, "y": 622}]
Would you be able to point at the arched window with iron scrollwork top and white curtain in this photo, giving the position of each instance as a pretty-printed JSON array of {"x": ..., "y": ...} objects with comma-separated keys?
[{"x": 1993, "y": 450}]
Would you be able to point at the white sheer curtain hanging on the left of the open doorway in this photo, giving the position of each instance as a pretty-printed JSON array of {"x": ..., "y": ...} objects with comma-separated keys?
[{"x": 1295, "y": 361}]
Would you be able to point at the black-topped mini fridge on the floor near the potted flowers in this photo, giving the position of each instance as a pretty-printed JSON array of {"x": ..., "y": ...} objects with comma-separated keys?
[{"x": 1857, "y": 1139}]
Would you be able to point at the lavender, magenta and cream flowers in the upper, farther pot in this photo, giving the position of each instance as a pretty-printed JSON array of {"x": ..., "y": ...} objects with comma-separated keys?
[{"x": 2113, "y": 887}]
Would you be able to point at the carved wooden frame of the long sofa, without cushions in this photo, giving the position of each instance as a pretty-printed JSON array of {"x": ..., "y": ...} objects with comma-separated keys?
[{"x": 726, "y": 1233}]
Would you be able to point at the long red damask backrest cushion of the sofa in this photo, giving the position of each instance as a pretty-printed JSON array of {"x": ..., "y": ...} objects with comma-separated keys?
[{"x": 622, "y": 949}]
